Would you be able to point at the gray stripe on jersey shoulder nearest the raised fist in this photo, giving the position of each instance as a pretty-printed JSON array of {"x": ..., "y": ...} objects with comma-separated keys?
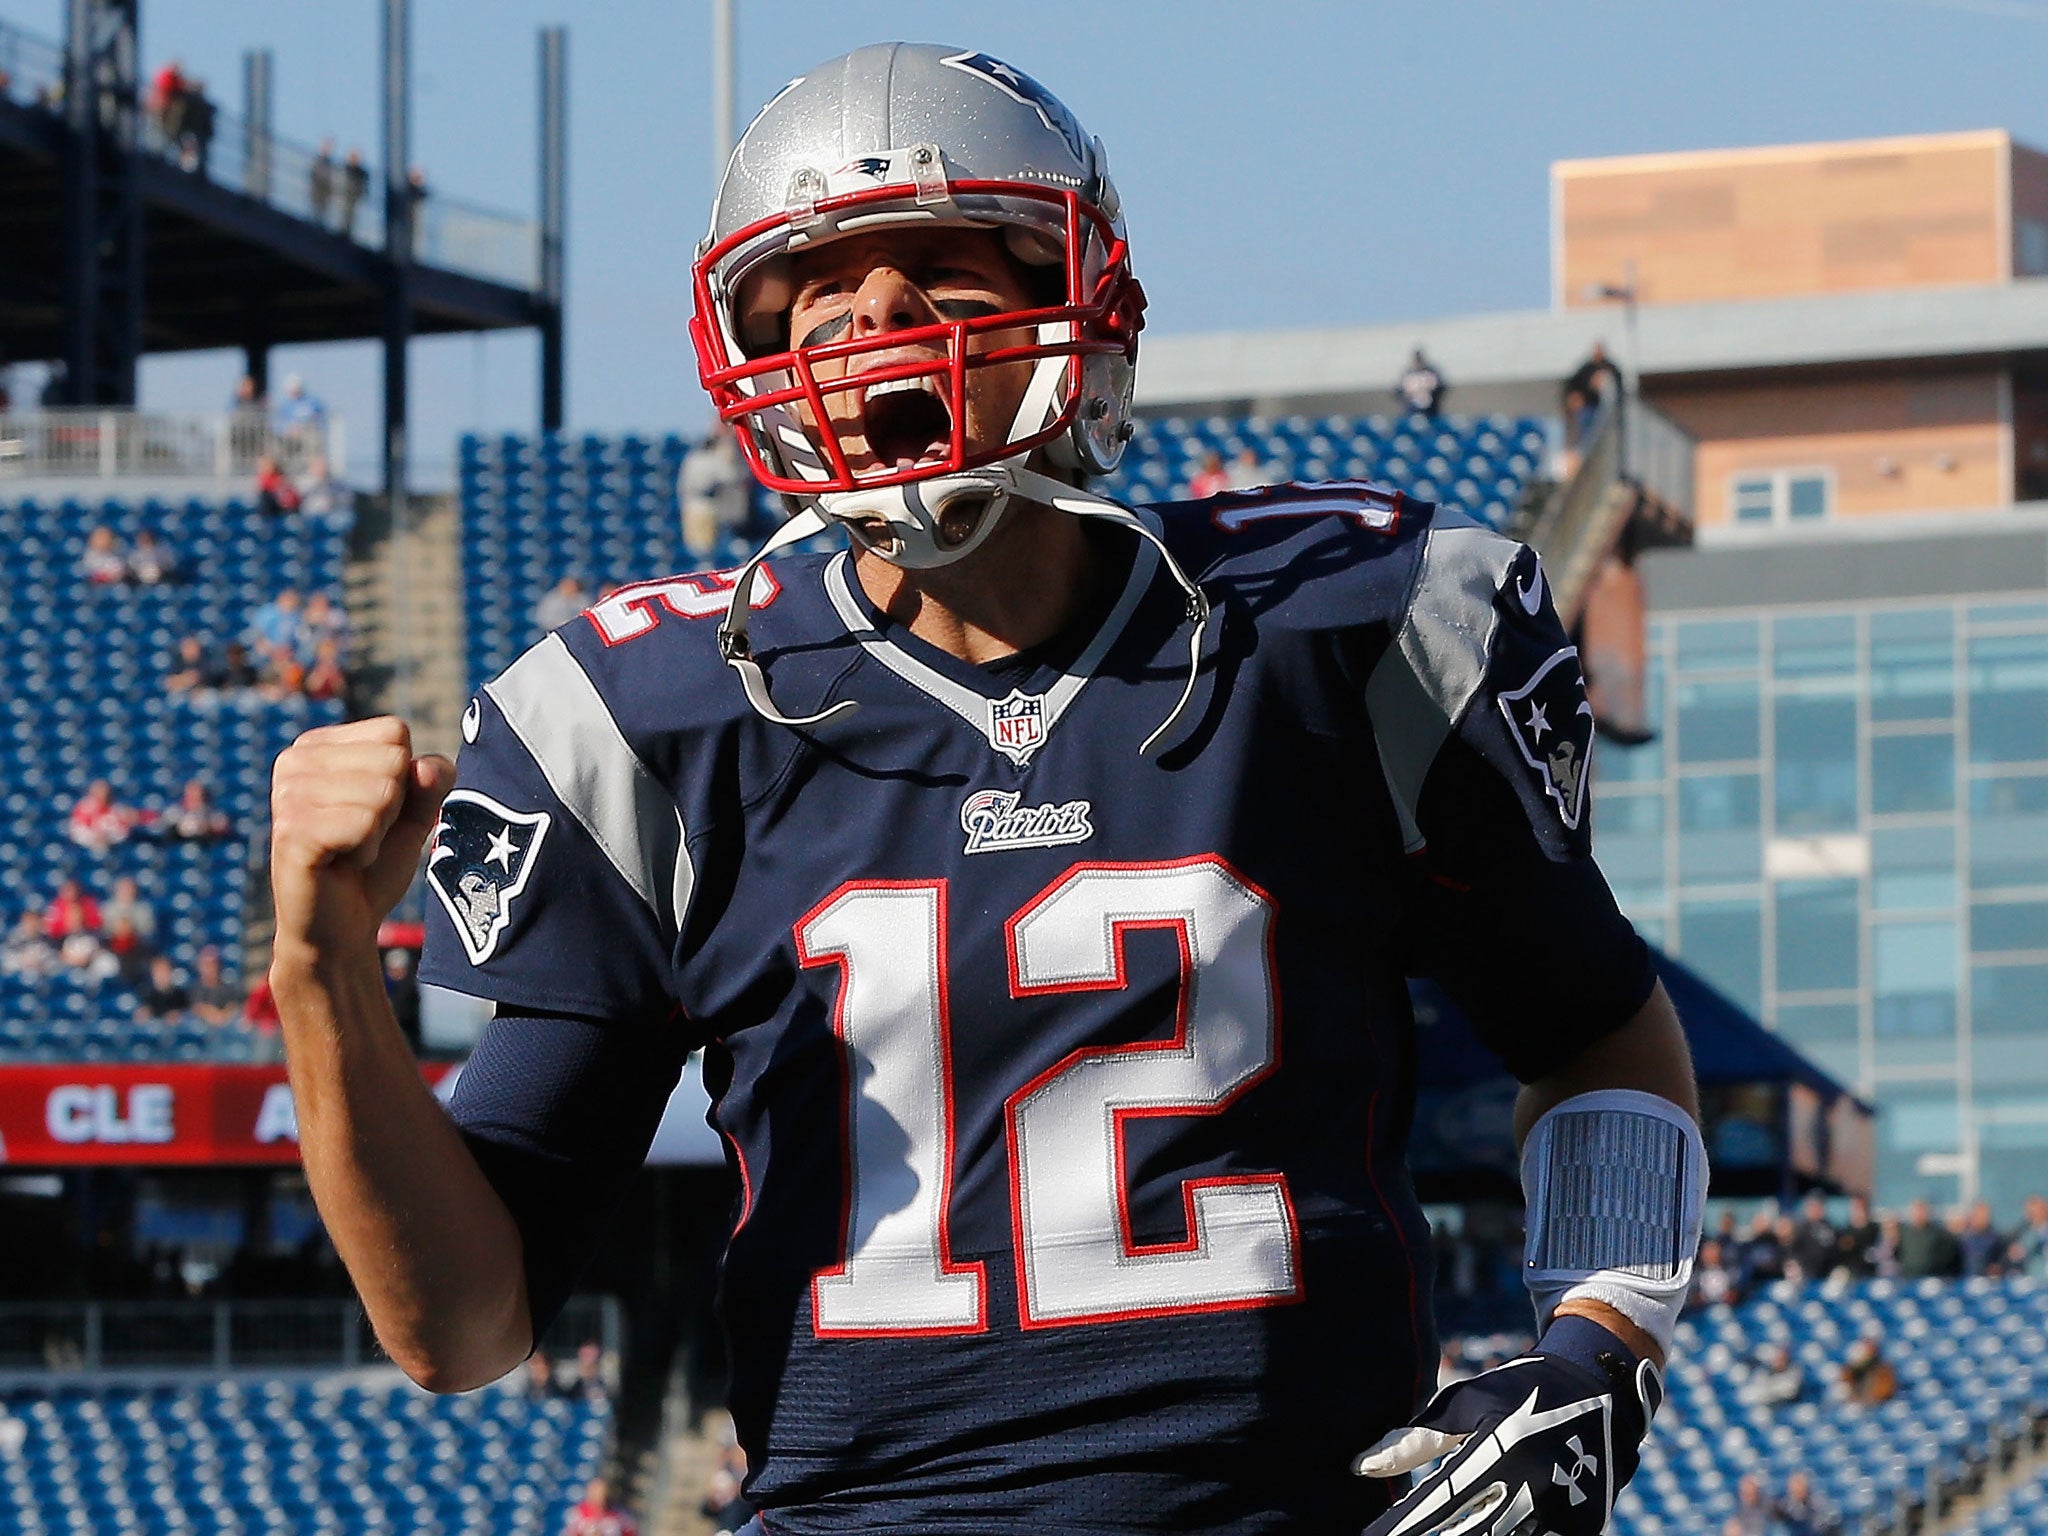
[{"x": 564, "y": 724}]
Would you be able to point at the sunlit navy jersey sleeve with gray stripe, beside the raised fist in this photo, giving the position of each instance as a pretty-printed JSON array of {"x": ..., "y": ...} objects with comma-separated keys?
[{"x": 558, "y": 873}]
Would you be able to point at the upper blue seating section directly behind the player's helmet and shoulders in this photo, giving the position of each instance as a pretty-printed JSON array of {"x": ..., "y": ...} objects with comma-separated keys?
[{"x": 538, "y": 509}]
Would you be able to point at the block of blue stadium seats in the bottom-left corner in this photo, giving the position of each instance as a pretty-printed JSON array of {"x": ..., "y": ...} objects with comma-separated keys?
[{"x": 310, "y": 1459}]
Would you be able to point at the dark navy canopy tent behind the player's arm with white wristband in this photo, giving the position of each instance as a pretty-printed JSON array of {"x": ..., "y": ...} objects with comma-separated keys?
[{"x": 1777, "y": 1125}]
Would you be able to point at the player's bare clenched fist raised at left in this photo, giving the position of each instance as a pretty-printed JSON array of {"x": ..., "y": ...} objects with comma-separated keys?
[{"x": 349, "y": 810}]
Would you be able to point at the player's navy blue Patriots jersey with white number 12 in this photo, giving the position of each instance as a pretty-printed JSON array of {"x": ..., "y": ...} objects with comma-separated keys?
[{"x": 1068, "y": 1089}]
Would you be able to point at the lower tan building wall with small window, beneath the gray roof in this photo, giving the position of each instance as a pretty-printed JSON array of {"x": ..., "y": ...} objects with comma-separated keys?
[{"x": 1928, "y": 443}]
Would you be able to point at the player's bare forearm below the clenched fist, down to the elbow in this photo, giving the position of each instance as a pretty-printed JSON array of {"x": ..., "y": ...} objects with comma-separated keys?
[{"x": 429, "y": 1244}]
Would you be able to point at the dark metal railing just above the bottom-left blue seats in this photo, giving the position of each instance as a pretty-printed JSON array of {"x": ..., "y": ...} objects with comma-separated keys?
[{"x": 89, "y": 1336}]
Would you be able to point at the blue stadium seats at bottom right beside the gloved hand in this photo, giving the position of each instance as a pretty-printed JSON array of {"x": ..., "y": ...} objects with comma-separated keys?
[{"x": 1973, "y": 1371}]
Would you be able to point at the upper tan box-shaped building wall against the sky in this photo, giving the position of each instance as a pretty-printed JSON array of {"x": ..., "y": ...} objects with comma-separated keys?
[{"x": 1756, "y": 224}]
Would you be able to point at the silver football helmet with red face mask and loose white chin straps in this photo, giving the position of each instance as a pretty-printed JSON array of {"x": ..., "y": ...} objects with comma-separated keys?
[{"x": 919, "y": 136}]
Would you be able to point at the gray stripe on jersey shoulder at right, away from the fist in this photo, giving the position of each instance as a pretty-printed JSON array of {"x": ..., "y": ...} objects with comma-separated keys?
[{"x": 1428, "y": 677}]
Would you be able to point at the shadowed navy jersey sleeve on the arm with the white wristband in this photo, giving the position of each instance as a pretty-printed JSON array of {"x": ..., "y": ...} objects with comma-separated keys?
[{"x": 1486, "y": 738}]
